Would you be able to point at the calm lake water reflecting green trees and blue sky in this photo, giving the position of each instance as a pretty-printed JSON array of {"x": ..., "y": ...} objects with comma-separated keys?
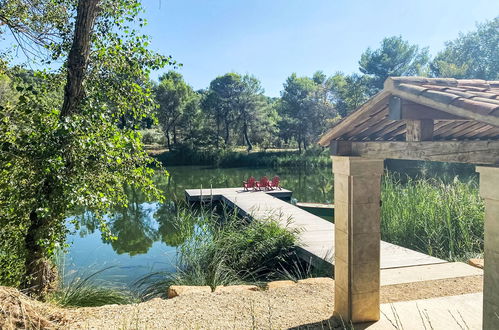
[{"x": 147, "y": 242}]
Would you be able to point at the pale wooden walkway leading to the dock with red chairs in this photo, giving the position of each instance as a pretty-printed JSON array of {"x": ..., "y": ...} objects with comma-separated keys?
[{"x": 316, "y": 240}]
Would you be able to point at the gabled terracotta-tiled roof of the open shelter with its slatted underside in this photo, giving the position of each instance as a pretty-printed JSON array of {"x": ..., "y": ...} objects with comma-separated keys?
[{"x": 474, "y": 100}]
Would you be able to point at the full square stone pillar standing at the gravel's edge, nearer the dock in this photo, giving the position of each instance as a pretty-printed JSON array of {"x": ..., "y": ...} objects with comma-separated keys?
[{"x": 357, "y": 194}]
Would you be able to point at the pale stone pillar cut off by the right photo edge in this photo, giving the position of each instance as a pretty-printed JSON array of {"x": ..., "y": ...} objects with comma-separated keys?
[{"x": 489, "y": 190}]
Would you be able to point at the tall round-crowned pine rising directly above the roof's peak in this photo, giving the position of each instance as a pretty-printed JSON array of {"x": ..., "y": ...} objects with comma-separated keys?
[{"x": 395, "y": 57}]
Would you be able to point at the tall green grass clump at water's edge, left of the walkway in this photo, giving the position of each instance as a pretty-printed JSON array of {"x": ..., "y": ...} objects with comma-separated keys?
[{"x": 223, "y": 250}]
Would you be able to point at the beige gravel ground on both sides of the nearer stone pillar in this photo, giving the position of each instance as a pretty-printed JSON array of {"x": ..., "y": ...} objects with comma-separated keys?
[{"x": 301, "y": 306}]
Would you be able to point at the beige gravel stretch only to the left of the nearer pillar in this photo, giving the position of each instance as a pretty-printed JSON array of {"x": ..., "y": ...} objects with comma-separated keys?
[{"x": 280, "y": 308}]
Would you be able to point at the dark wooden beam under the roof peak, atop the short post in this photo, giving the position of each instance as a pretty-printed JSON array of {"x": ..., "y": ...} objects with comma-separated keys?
[{"x": 403, "y": 109}]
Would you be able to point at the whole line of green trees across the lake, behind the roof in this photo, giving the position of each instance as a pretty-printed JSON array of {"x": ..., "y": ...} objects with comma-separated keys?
[{"x": 233, "y": 109}]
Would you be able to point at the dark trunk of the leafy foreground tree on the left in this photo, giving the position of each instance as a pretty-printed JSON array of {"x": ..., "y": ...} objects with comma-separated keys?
[{"x": 40, "y": 272}]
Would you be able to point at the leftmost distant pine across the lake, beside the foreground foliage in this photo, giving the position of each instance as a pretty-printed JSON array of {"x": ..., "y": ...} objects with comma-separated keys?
[{"x": 173, "y": 96}]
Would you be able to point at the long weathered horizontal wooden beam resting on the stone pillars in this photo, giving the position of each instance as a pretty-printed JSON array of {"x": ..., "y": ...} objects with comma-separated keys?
[{"x": 472, "y": 152}]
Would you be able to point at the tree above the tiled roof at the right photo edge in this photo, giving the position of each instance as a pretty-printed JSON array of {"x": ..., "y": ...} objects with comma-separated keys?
[{"x": 471, "y": 55}]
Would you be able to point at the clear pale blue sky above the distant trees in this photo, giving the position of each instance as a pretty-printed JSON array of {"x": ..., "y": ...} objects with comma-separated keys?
[{"x": 273, "y": 38}]
